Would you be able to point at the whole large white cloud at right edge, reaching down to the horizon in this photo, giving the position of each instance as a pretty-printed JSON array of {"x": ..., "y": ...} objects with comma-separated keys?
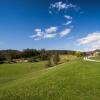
[{"x": 90, "y": 42}]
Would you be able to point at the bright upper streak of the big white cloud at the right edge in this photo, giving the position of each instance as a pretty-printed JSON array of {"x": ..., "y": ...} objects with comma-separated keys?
[{"x": 90, "y": 38}]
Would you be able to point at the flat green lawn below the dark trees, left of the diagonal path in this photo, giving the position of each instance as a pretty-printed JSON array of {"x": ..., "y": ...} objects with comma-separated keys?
[{"x": 10, "y": 72}]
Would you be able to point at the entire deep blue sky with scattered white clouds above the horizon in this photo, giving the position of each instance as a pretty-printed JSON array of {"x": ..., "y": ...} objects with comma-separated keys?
[{"x": 50, "y": 24}]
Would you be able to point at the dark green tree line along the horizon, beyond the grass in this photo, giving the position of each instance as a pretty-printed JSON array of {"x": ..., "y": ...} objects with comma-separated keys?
[{"x": 33, "y": 55}]
